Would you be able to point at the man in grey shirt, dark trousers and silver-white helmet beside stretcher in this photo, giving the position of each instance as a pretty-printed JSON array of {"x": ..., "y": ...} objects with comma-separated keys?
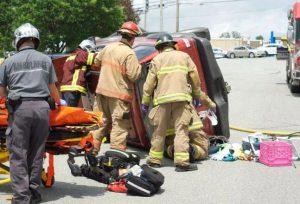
[{"x": 27, "y": 79}]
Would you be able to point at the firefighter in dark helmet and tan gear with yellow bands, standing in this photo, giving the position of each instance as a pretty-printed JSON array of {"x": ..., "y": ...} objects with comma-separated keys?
[{"x": 172, "y": 81}]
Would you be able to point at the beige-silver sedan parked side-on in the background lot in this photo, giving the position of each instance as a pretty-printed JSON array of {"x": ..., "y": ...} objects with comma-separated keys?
[{"x": 245, "y": 51}]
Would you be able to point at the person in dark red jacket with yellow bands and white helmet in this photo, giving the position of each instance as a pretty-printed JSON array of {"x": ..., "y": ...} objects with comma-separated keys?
[{"x": 75, "y": 69}]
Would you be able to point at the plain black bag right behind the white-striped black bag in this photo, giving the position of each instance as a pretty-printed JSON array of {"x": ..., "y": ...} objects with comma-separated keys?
[{"x": 153, "y": 176}]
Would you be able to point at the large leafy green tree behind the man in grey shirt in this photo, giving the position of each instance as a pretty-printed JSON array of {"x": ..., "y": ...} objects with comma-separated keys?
[{"x": 62, "y": 23}]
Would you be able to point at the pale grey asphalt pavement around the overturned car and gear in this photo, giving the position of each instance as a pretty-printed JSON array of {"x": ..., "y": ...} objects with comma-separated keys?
[{"x": 259, "y": 99}]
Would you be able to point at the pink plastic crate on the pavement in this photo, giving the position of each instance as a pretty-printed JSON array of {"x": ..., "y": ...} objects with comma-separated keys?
[{"x": 275, "y": 153}]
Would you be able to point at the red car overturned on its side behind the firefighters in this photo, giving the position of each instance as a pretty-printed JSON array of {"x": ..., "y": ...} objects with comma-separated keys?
[{"x": 212, "y": 82}]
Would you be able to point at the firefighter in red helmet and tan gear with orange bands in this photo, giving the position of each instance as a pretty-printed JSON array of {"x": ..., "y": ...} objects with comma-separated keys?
[{"x": 119, "y": 70}]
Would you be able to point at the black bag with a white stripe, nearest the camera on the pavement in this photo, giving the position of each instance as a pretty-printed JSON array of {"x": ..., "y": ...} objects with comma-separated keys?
[{"x": 138, "y": 186}]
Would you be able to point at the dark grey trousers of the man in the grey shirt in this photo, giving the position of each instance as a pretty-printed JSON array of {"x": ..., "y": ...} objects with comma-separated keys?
[{"x": 26, "y": 139}]
